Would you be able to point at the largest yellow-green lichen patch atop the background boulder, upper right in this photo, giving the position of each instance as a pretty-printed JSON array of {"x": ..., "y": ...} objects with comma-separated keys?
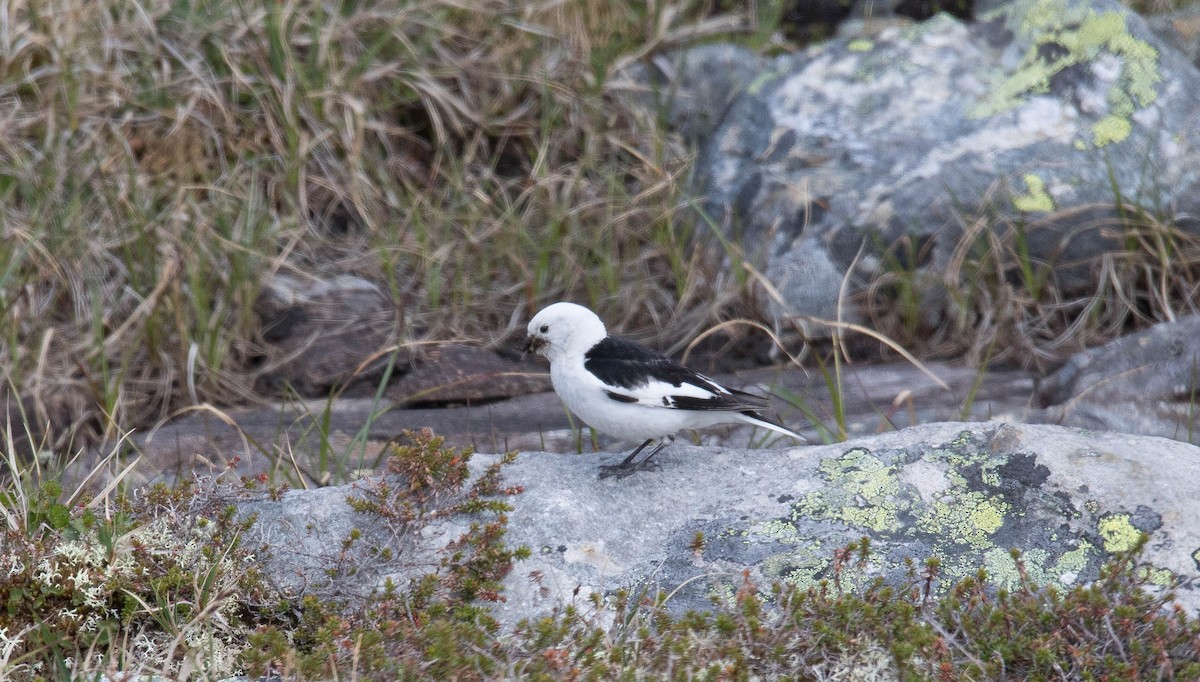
[{"x": 1083, "y": 37}]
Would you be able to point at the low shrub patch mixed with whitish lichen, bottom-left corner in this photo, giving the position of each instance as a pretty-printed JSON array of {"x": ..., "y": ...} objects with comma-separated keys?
[{"x": 158, "y": 581}]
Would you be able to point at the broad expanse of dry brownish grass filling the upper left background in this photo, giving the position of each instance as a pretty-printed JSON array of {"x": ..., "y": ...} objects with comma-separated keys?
[{"x": 159, "y": 159}]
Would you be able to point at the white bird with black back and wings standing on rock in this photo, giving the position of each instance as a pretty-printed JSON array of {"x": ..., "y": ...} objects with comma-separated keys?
[{"x": 631, "y": 392}]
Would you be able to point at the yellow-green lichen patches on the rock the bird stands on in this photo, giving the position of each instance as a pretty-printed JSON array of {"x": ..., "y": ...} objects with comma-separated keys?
[{"x": 959, "y": 524}]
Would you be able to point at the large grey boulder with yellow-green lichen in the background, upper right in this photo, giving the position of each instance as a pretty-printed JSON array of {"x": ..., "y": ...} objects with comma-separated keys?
[{"x": 1042, "y": 119}]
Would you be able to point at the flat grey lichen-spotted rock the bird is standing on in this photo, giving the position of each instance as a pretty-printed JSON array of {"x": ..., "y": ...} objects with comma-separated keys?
[{"x": 967, "y": 494}]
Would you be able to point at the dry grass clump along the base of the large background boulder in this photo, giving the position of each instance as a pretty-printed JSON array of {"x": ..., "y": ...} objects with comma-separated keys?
[{"x": 1005, "y": 298}]
